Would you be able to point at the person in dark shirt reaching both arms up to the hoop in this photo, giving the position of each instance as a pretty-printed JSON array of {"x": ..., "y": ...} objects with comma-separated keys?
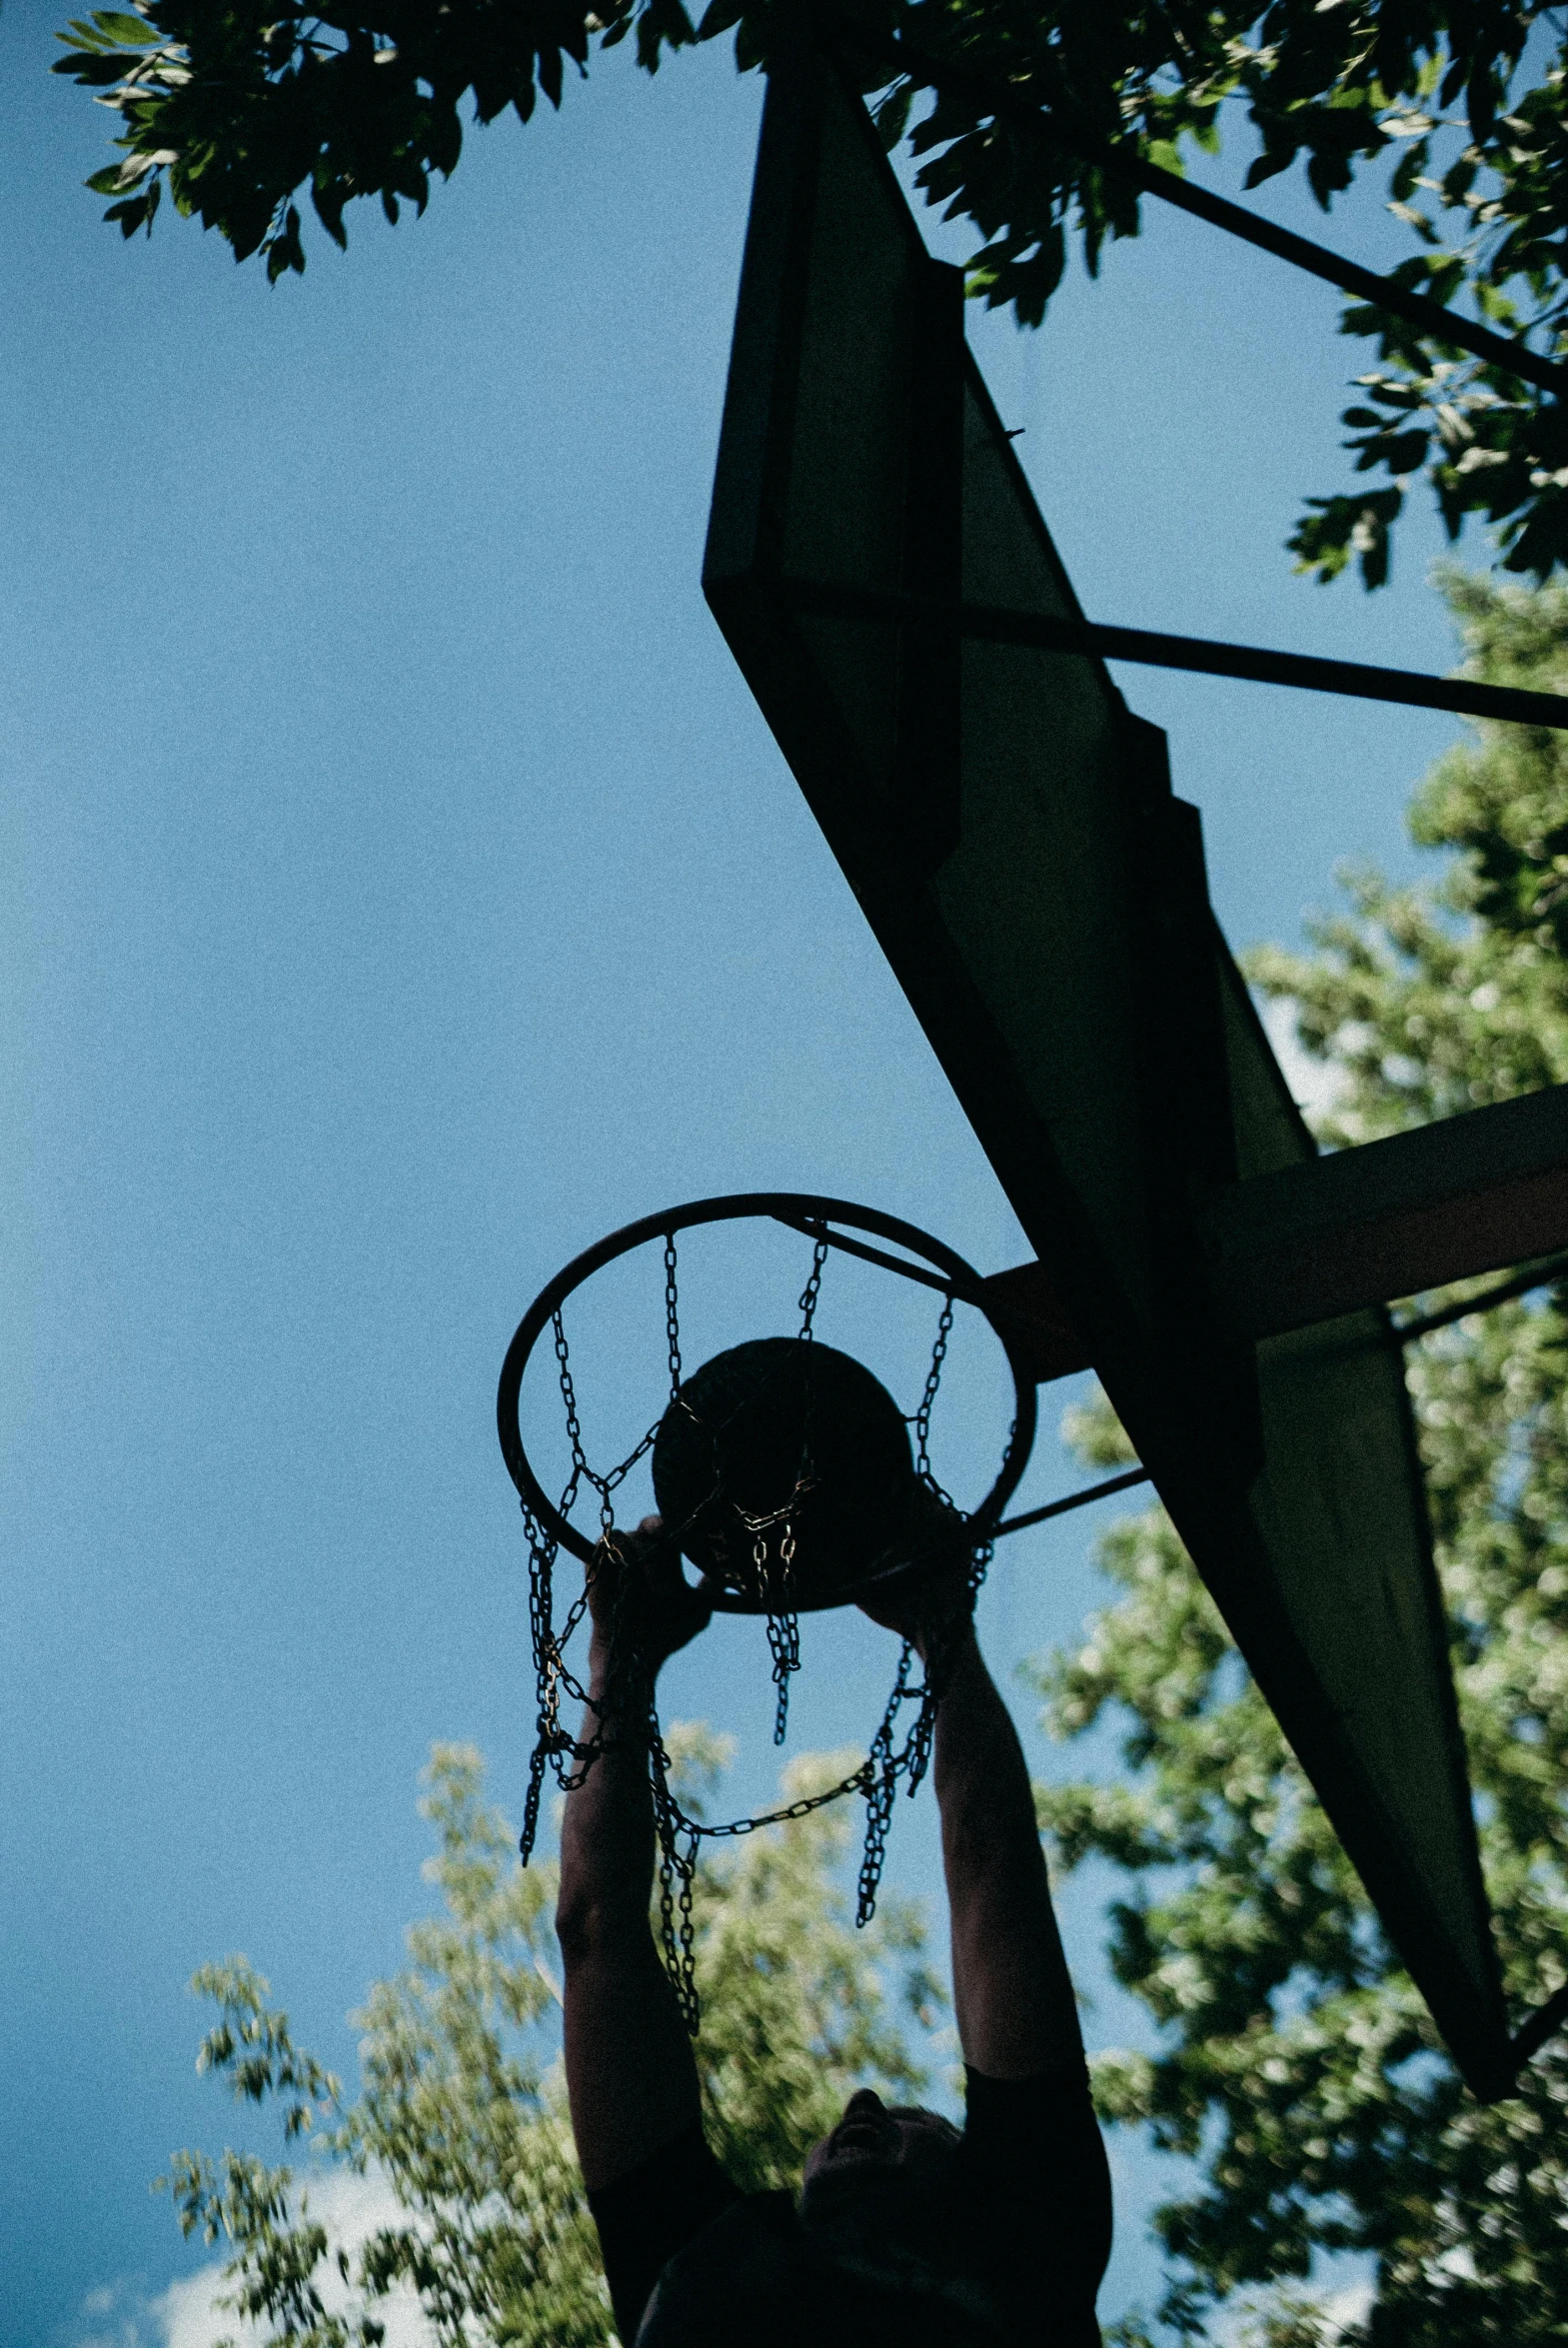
[{"x": 907, "y": 2229}]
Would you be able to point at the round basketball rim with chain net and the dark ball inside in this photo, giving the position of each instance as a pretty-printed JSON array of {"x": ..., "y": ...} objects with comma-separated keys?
[{"x": 792, "y": 1480}]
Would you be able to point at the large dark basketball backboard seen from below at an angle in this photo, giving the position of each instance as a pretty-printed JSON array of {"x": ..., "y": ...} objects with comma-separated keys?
[{"x": 1013, "y": 839}]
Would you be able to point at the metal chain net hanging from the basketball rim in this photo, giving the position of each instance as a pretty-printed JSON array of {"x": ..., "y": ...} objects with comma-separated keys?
[{"x": 626, "y": 1708}]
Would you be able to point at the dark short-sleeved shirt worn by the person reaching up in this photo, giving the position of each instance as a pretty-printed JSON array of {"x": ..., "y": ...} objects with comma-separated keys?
[{"x": 1018, "y": 2244}]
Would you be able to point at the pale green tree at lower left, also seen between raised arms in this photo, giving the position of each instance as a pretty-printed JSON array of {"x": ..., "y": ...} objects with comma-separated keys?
[{"x": 464, "y": 2110}]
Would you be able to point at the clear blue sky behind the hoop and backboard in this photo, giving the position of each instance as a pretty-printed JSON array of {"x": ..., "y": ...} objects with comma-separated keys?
[{"x": 400, "y": 891}]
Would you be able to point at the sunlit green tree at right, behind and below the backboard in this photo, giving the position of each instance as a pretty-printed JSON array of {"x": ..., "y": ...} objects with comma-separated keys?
[{"x": 1295, "y": 2063}]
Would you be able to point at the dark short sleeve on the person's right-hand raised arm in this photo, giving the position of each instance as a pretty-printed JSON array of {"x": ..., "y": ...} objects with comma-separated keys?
[{"x": 1043, "y": 2194}]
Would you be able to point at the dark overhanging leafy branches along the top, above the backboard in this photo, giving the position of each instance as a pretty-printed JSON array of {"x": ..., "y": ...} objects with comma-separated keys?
[{"x": 1022, "y": 116}]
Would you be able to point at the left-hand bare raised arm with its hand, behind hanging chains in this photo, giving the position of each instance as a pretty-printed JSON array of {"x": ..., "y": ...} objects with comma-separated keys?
[{"x": 630, "y": 2072}]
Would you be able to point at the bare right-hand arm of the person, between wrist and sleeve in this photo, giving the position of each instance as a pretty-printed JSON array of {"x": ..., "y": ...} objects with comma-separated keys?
[{"x": 1011, "y": 1981}]
